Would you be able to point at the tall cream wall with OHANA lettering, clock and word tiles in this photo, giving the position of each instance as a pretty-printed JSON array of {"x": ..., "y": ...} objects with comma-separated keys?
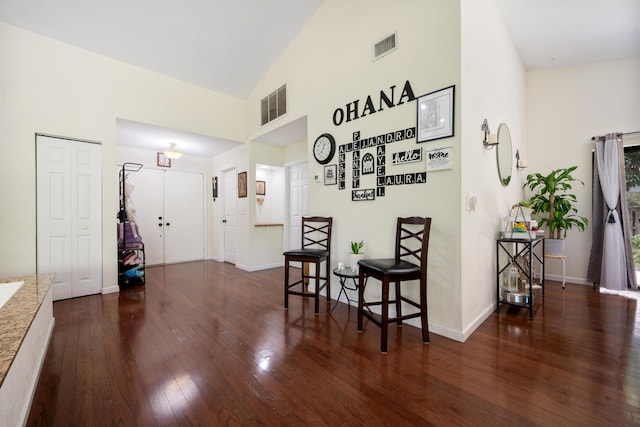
[{"x": 329, "y": 65}]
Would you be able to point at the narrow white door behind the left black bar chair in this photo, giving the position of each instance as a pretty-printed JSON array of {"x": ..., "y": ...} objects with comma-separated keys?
[{"x": 298, "y": 202}]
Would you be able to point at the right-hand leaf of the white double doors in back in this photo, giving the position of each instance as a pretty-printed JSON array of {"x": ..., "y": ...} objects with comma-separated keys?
[{"x": 183, "y": 216}]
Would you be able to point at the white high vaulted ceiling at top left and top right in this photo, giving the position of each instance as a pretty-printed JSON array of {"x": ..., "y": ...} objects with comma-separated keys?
[{"x": 227, "y": 45}]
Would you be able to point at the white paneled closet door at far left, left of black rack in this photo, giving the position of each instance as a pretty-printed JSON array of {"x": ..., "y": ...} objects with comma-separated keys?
[{"x": 69, "y": 215}]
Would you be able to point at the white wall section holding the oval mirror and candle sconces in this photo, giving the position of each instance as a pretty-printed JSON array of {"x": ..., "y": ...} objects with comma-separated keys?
[{"x": 493, "y": 82}]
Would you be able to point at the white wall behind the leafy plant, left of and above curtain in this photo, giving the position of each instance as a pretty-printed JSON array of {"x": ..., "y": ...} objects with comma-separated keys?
[{"x": 565, "y": 108}]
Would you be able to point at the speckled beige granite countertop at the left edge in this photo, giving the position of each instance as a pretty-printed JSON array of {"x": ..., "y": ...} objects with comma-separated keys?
[{"x": 18, "y": 313}]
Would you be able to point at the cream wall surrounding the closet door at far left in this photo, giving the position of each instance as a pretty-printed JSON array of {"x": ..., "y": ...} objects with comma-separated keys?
[{"x": 54, "y": 88}]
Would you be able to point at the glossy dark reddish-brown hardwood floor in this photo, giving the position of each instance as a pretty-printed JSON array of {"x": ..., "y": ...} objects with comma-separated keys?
[{"x": 207, "y": 344}]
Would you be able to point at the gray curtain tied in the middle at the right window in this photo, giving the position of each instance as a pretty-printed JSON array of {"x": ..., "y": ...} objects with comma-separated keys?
[{"x": 610, "y": 264}]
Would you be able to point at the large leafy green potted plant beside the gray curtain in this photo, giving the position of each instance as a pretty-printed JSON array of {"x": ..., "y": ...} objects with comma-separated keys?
[{"x": 553, "y": 200}]
